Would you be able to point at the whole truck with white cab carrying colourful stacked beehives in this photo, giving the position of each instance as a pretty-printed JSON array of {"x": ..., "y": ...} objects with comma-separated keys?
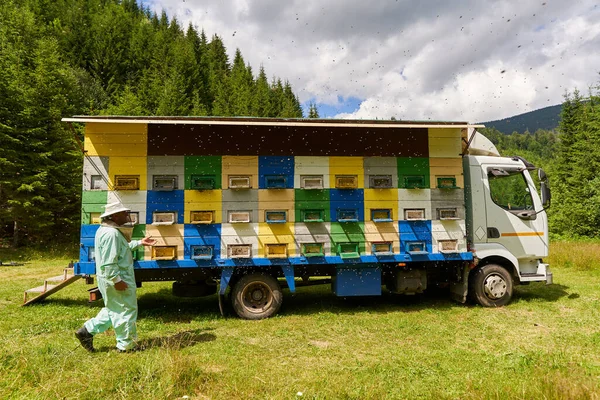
[{"x": 246, "y": 207}]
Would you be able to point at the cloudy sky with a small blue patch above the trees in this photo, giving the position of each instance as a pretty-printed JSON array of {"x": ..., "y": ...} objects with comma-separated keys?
[{"x": 443, "y": 60}]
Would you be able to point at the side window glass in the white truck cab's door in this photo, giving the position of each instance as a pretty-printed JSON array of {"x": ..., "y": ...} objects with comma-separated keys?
[{"x": 510, "y": 191}]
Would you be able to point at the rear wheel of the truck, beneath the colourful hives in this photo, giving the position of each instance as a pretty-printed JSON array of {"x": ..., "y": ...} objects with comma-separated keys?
[{"x": 256, "y": 296}]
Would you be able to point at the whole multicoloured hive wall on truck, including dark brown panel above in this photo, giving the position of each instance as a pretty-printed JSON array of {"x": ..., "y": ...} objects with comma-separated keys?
[{"x": 337, "y": 192}]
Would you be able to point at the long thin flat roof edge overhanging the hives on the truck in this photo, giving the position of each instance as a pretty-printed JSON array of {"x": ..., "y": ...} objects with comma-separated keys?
[{"x": 271, "y": 121}]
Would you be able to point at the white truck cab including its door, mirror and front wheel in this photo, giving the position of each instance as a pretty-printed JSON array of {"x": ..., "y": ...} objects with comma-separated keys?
[{"x": 507, "y": 225}]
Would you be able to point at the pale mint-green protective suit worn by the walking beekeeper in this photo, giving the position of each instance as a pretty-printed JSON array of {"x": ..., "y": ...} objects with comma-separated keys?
[{"x": 114, "y": 262}]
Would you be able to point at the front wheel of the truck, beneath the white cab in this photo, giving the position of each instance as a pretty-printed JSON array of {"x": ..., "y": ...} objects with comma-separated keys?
[{"x": 491, "y": 286}]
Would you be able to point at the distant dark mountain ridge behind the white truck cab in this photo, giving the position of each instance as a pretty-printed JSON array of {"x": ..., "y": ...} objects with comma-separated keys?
[{"x": 545, "y": 118}]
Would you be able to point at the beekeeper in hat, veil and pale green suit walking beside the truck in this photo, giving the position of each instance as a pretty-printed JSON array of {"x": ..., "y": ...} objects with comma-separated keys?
[{"x": 116, "y": 281}]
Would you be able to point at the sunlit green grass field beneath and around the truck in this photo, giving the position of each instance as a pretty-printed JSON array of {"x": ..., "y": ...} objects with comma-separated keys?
[{"x": 545, "y": 344}]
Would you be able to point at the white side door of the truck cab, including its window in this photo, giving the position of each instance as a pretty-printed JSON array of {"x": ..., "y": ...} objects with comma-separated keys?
[{"x": 511, "y": 205}]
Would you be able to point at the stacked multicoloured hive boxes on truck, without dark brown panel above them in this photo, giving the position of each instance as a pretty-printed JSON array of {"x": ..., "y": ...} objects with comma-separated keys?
[{"x": 204, "y": 209}]
